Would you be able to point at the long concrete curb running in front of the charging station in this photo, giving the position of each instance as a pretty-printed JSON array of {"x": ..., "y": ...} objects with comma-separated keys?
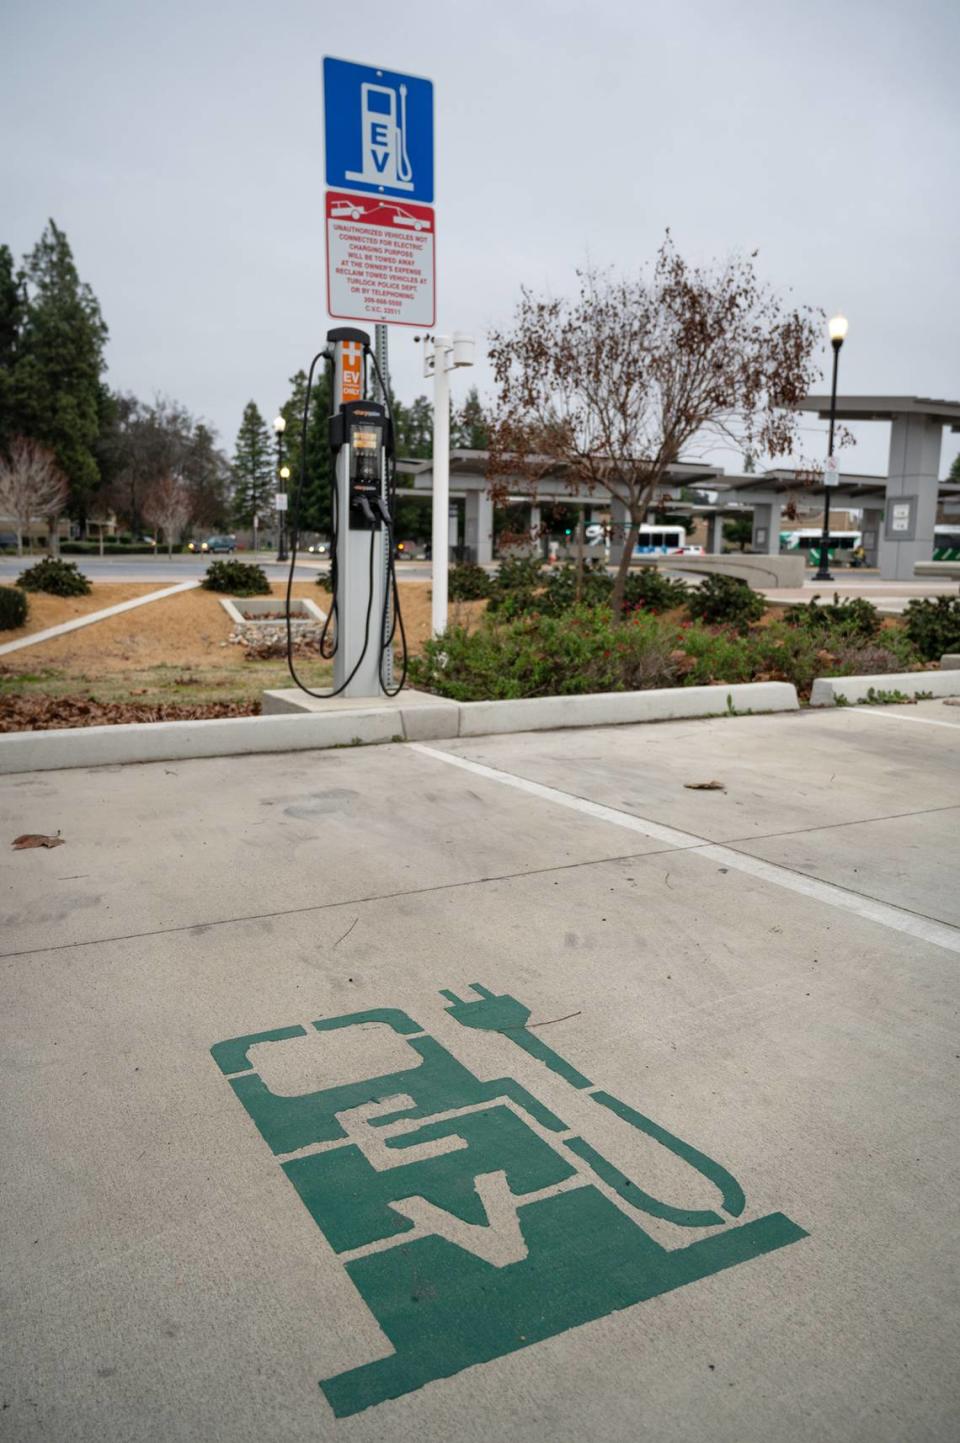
[{"x": 428, "y": 721}]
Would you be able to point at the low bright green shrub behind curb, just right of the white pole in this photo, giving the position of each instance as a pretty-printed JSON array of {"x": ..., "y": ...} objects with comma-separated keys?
[{"x": 542, "y": 656}]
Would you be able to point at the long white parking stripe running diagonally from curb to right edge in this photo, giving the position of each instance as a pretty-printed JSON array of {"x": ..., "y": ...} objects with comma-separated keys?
[{"x": 941, "y": 934}]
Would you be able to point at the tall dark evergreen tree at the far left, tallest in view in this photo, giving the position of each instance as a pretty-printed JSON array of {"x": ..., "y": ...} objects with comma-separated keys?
[{"x": 54, "y": 386}]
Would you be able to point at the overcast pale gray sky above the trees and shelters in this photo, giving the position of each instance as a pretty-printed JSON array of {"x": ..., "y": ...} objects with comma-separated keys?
[{"x": 181, "y": 149}]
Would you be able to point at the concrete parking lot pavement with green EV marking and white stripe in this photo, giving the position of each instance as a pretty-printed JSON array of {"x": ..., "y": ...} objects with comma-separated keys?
[{"x": 500, "y": 1089}]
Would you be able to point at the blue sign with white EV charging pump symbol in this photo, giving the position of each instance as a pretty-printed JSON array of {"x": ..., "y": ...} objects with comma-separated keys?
[{"x": 379, "y": 131}]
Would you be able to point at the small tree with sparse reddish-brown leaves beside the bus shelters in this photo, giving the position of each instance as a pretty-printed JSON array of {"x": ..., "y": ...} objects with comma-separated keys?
[{"x": 611, "y": 389}]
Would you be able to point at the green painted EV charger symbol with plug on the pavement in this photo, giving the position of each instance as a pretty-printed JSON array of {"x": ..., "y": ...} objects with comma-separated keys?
[{"x": 467, "y": 1233}]
